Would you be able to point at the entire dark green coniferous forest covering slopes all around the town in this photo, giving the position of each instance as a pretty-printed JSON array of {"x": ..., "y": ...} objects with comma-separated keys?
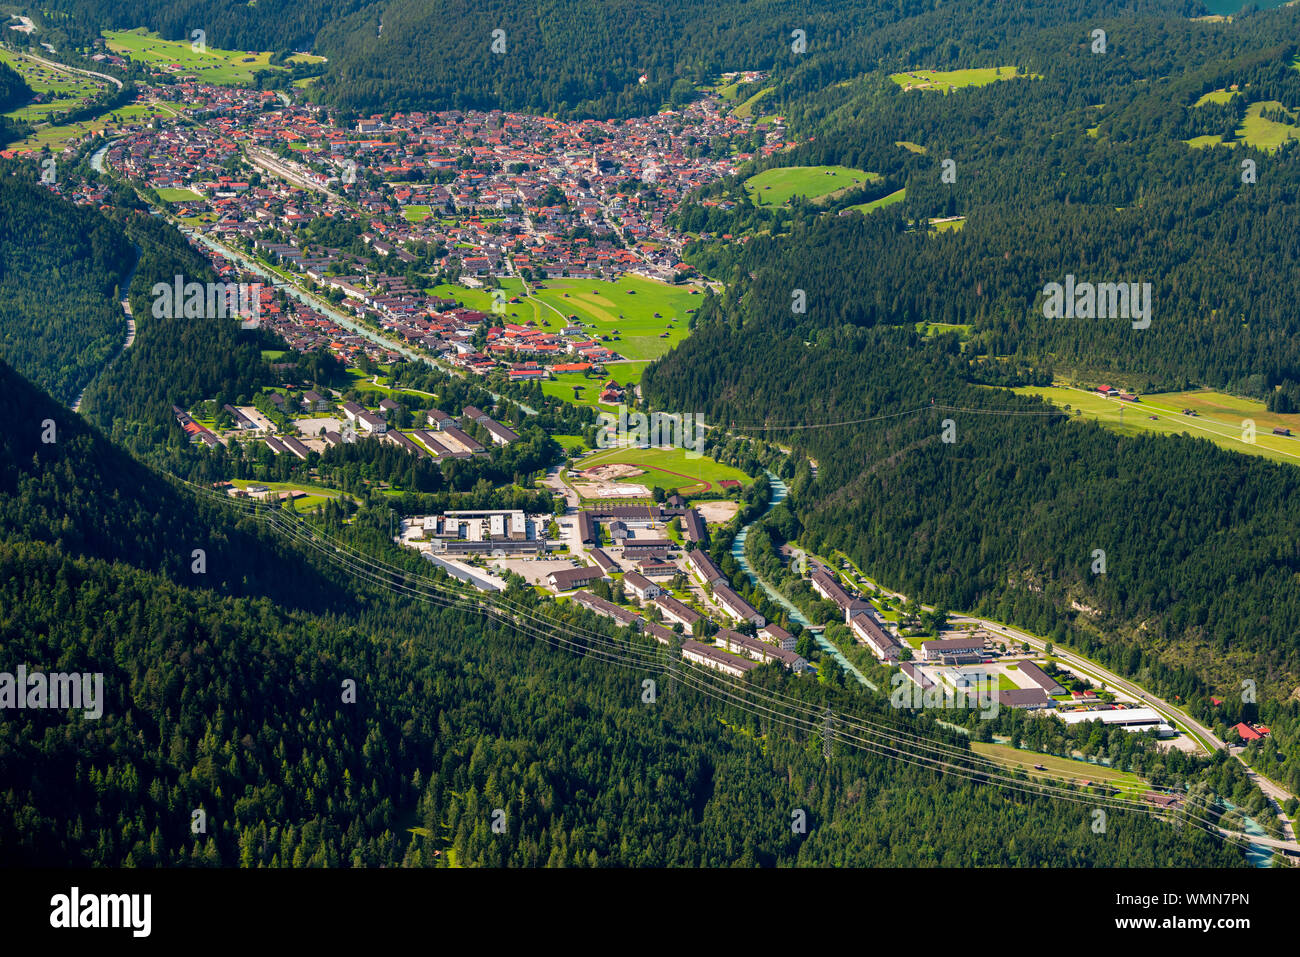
[{"x": 318, "y": 713}]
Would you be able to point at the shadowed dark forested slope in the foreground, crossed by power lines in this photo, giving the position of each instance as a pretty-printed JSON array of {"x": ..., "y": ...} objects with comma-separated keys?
[{"x": 235, "y": 705}]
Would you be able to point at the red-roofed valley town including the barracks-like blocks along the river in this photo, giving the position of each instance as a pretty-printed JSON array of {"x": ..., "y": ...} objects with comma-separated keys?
[{"x": 509, "y": 250}]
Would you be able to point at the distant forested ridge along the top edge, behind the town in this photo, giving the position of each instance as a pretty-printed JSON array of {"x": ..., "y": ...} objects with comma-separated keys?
[{"x": 587, "y": 58}]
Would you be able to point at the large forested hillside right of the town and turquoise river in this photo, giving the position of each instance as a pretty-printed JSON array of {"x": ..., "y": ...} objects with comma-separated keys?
[{"x": 1081, "y": 171}]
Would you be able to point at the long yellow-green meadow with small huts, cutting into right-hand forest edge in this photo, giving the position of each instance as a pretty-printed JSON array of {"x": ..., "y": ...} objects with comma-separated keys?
[{"x": 1220, "y": 418}]
